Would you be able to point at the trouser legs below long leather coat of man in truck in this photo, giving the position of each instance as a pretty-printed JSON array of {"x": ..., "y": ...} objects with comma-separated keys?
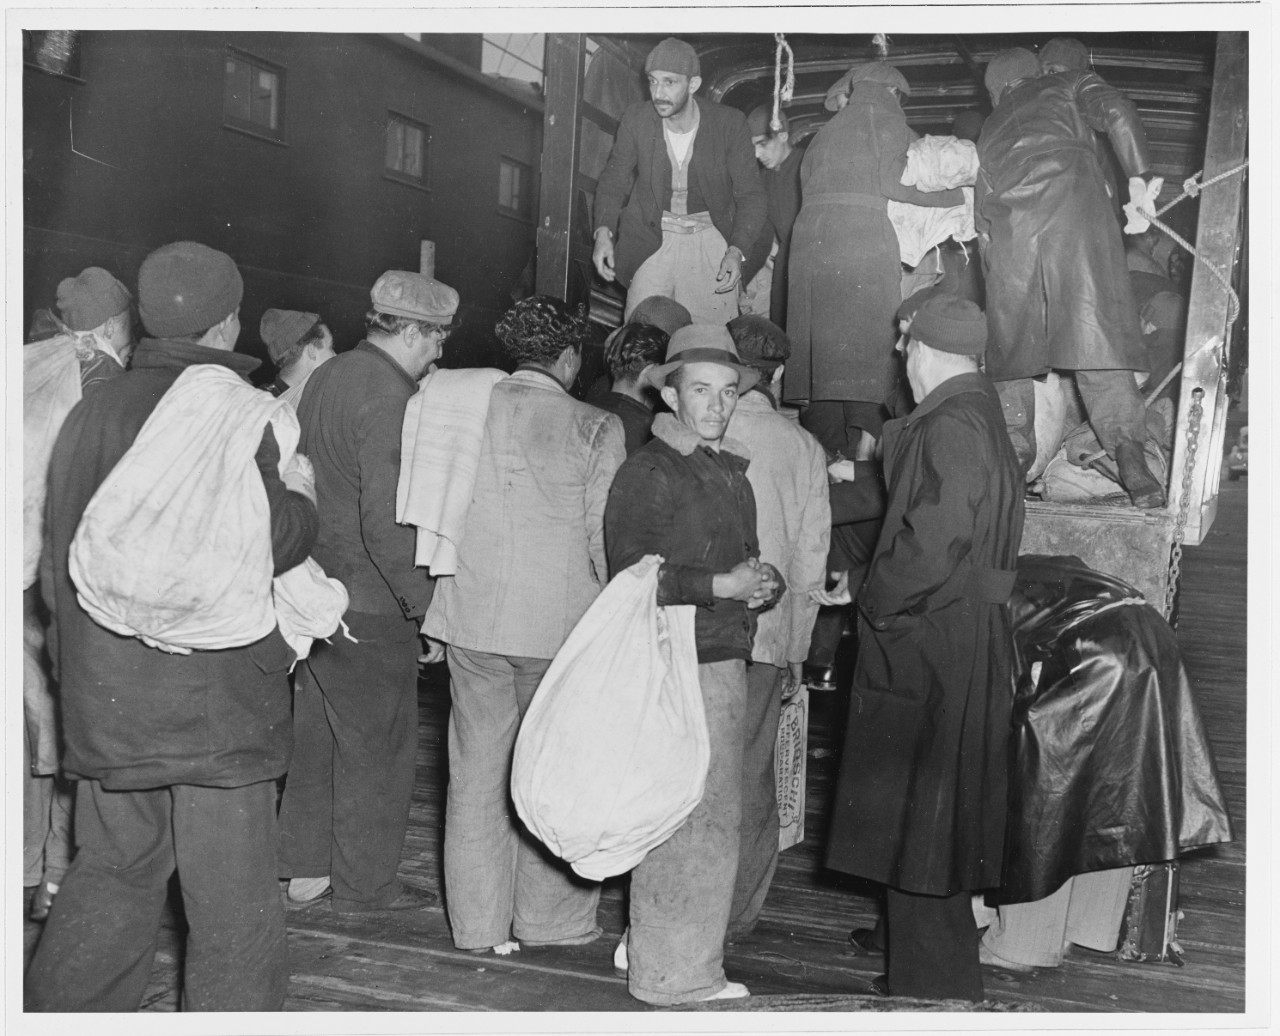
[{"x": 1112, "y": 401}]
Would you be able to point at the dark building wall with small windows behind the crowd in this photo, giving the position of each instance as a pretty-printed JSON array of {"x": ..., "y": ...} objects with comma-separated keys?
[{"x": 136, "y": 154}]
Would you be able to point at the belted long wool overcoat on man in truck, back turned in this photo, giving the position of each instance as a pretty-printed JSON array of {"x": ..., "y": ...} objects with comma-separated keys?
[{"x": 845, "y": 268}]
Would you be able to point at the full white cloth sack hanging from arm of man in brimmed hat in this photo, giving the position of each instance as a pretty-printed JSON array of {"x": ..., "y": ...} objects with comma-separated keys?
[{"x": 614, "y": 751}]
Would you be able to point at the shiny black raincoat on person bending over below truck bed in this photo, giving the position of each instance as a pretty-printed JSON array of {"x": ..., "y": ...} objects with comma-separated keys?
[{"x": 1110, "y": 761}]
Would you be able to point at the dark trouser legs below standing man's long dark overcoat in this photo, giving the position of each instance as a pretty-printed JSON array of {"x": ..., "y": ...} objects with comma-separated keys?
[{"x": 932, "y": 947}]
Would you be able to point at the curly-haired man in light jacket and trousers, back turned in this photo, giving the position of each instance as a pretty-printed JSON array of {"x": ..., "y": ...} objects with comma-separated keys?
[{"x": 529, "y": 564}]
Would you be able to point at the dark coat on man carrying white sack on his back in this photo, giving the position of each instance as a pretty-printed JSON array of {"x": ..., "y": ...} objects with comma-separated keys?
[{"x": 135, "y": 716}]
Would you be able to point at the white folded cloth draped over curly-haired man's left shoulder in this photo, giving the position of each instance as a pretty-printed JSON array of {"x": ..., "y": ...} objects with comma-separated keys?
[{"x": 440, "y": 457}]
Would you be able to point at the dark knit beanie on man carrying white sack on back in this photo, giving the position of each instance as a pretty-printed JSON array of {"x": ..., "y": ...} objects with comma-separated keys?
[{"x": 185, "y": 289}]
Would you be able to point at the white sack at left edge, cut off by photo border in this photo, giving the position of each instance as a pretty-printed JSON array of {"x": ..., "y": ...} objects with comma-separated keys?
[{"x": 51, "y": 389}]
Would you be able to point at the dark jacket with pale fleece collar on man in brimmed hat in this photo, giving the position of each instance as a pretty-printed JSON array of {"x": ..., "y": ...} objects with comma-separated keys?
[{"x": 693, "y": 505}]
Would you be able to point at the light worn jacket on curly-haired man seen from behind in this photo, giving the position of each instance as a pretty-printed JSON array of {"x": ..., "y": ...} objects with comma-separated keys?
[{"x": 532, "y": 556}]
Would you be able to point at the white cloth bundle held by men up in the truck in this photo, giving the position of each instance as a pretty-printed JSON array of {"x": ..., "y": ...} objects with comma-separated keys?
[{"x": 935, "y": 163}]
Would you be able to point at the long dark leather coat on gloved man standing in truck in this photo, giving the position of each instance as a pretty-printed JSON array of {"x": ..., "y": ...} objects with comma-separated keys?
[{"x": 1058, "y": 286}]
